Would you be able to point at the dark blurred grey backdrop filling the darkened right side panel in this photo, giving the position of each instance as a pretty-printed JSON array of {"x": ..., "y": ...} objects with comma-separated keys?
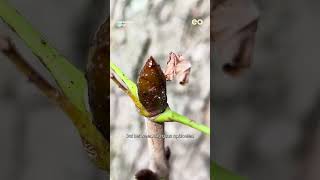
[{"x": 266, "y": 122}]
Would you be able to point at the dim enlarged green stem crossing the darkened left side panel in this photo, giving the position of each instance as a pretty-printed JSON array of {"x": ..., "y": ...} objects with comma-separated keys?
[{"x": 69, "y": 79}]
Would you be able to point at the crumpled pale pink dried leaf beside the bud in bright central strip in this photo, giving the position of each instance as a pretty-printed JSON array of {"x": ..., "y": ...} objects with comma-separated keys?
[{"x": 179, "y": 68}]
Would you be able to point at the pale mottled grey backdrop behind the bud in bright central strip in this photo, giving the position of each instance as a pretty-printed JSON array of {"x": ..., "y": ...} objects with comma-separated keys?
[{"x": 156, "y": 28}]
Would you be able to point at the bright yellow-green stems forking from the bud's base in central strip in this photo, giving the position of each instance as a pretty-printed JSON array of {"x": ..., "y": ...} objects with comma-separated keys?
[{"x": 167, "y": 116}]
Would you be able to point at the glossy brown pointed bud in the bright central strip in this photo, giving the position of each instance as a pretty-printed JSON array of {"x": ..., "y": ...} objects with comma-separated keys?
[{"x": 152, "y": 88}]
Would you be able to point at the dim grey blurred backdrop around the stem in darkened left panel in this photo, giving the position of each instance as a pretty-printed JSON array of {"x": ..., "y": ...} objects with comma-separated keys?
[{"x": 38, "y": 141}]
